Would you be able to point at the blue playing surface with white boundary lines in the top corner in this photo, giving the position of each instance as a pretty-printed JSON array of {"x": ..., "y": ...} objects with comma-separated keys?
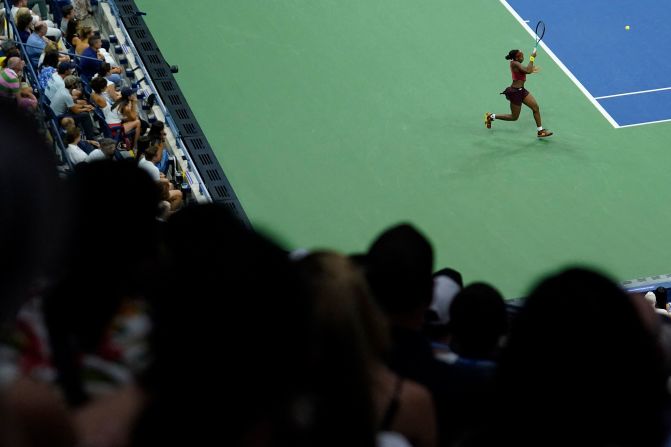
[{"x": 626, "y": 74}]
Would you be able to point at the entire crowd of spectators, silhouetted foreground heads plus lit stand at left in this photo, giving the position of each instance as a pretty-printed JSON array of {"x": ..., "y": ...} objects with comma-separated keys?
[{"x": 128, "y": 318}]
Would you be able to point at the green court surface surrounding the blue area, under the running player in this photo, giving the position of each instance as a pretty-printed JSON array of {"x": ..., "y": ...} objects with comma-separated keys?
[{"x": 334, "y": 120}]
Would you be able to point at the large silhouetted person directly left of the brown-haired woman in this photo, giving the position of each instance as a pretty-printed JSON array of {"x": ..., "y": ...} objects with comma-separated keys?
[{"x": 263, "y": 401}]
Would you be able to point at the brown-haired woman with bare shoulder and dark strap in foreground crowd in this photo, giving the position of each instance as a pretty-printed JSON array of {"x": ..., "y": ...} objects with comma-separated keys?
[{"x": 345, "y": 310}]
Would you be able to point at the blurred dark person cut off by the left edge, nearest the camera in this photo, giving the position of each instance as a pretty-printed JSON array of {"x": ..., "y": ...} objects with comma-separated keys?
[{"x": 33, "y": 211}]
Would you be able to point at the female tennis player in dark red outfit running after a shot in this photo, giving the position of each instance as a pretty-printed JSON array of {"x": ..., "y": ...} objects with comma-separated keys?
[{"x": 517, "y": 94}]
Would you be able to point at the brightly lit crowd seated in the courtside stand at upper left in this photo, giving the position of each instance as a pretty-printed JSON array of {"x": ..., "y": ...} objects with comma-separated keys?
[{"x": 57, "y": 67}]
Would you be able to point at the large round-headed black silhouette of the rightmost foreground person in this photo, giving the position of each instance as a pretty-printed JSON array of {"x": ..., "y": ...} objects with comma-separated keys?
[{"x": 596, "y": 368}]
